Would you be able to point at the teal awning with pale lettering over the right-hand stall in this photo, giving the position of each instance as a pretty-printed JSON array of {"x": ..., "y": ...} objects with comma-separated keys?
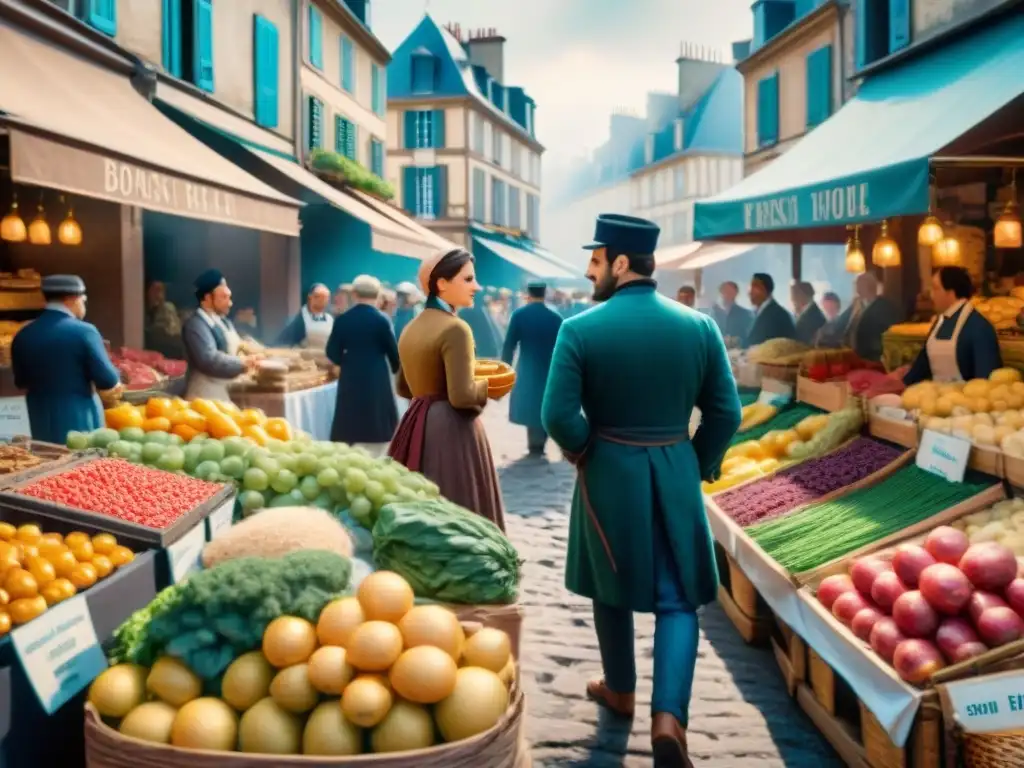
[{"x": 871, "y": 160}]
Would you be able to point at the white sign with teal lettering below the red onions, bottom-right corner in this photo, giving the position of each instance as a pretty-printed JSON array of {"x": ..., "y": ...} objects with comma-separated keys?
[{"x": 993, "y": 703}]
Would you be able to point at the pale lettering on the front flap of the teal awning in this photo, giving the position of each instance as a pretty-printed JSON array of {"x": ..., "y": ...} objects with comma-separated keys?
[{"x": 836, "y": 205}]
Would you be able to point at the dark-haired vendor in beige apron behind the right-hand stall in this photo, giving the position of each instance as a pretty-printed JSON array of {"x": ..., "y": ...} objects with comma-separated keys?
[{"x": 962, "y": 345}]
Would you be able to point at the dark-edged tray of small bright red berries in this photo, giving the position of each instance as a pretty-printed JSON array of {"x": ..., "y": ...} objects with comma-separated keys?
[{"x": 119, "y": 497}]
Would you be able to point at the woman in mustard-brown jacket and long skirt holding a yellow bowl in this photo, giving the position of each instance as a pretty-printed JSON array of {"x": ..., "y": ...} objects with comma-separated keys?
[{"x": 441, "y": 435}]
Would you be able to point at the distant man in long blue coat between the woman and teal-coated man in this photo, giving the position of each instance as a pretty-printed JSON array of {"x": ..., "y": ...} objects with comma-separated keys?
[{"x": 533, "y": 329}]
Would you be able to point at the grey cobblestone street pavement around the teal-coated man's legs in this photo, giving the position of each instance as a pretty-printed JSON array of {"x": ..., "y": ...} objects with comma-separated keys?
[{"x": 741, "y": 715}]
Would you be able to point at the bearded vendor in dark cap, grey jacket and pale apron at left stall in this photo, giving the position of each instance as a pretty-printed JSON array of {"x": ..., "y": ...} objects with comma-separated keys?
[{"x": 211, "y": 342}]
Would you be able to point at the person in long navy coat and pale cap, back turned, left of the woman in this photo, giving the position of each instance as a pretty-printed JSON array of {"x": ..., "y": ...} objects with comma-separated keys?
[{"x": 363, "y": 346}]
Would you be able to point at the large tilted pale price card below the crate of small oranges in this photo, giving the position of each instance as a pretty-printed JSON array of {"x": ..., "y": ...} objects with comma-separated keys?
[{"x": 60, "y": 653}]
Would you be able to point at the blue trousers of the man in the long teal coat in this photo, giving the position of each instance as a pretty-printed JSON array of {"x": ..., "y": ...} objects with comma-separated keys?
[{"x": 676, "y": 635}]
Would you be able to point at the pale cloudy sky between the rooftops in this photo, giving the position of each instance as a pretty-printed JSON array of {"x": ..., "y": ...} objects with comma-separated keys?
[{"x": 581, "y": 60}]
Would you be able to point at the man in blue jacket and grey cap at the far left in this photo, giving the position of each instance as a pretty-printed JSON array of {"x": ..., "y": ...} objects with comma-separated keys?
[{"x": 60, "y": 362}]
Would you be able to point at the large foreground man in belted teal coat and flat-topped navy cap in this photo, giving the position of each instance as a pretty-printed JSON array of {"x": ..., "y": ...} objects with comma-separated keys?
[{"x": 625, "y": 379}]
